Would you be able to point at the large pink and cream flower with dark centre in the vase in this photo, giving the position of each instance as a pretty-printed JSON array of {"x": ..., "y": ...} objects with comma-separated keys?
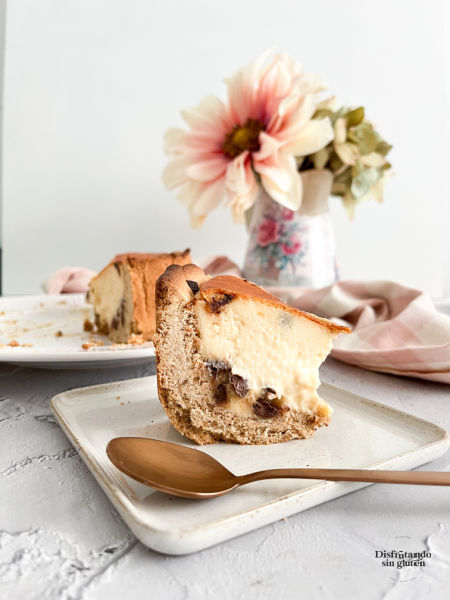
[{"x": 266, "y": 122}]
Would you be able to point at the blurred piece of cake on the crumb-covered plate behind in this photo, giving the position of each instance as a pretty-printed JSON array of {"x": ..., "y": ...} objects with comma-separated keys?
[{"x": 123, "y": 294}]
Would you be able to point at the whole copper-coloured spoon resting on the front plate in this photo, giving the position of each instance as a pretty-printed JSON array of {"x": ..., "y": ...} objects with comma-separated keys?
[{"x": 183, "y": 471}]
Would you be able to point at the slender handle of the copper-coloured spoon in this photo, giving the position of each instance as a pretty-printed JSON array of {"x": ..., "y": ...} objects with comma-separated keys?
[{"x": 372, "y": 476}]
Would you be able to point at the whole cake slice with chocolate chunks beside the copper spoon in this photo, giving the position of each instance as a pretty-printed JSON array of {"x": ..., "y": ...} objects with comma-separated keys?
[{"x": 234, "y": 363}]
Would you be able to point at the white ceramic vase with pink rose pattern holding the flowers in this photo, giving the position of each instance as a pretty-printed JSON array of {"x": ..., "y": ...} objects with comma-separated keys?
[{"x": 293, "y": 248}]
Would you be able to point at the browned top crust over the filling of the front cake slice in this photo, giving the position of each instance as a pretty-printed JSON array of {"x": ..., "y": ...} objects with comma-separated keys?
[{"x": 236, "y": 287}]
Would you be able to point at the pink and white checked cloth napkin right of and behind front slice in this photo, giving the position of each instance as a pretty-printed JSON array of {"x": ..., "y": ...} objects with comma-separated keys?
[{"x": 395, "y": 329}]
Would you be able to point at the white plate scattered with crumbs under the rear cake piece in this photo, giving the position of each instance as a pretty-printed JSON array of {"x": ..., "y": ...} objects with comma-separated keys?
[{"x": 33, "y": 322}]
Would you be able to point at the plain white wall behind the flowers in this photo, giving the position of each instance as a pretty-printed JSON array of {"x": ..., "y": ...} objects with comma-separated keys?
[{"x": 91, "y": 85}]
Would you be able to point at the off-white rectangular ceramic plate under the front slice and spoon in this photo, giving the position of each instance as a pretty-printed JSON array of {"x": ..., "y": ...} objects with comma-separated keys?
[{"x": 362, "y": 434}]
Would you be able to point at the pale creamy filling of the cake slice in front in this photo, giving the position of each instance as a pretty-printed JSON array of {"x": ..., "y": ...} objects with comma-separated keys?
[{"x": 268, "y": 347}]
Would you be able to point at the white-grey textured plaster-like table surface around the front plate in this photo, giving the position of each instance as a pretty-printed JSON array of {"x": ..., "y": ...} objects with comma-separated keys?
[{"x": 61, "y": 539}]
